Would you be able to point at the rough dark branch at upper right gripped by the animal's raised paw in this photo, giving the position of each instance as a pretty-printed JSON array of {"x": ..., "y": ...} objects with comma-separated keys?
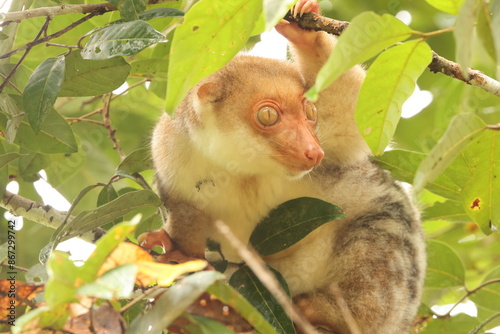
[{"x": 311, "y": 21}]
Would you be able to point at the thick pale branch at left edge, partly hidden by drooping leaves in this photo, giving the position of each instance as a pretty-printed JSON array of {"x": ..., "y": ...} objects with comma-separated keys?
[{"x": 42, "y": 214}]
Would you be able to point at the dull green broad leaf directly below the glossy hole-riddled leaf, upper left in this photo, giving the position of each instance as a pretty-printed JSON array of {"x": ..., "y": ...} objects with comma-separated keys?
[{"x": 93, "y": 77}]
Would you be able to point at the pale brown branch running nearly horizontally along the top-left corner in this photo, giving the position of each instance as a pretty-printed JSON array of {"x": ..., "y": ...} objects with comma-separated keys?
[{"x": 63, "y": 9}]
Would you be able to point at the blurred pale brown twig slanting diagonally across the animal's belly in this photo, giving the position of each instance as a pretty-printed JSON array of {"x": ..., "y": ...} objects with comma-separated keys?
[{"x": 259, "y": 268}]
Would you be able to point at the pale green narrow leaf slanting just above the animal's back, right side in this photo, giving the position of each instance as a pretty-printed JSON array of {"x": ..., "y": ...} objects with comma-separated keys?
[{"x": 462, "y": 129}]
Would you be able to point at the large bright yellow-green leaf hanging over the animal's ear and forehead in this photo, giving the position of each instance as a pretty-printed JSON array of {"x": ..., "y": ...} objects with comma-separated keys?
[{"x": 212, "y": 32}]
